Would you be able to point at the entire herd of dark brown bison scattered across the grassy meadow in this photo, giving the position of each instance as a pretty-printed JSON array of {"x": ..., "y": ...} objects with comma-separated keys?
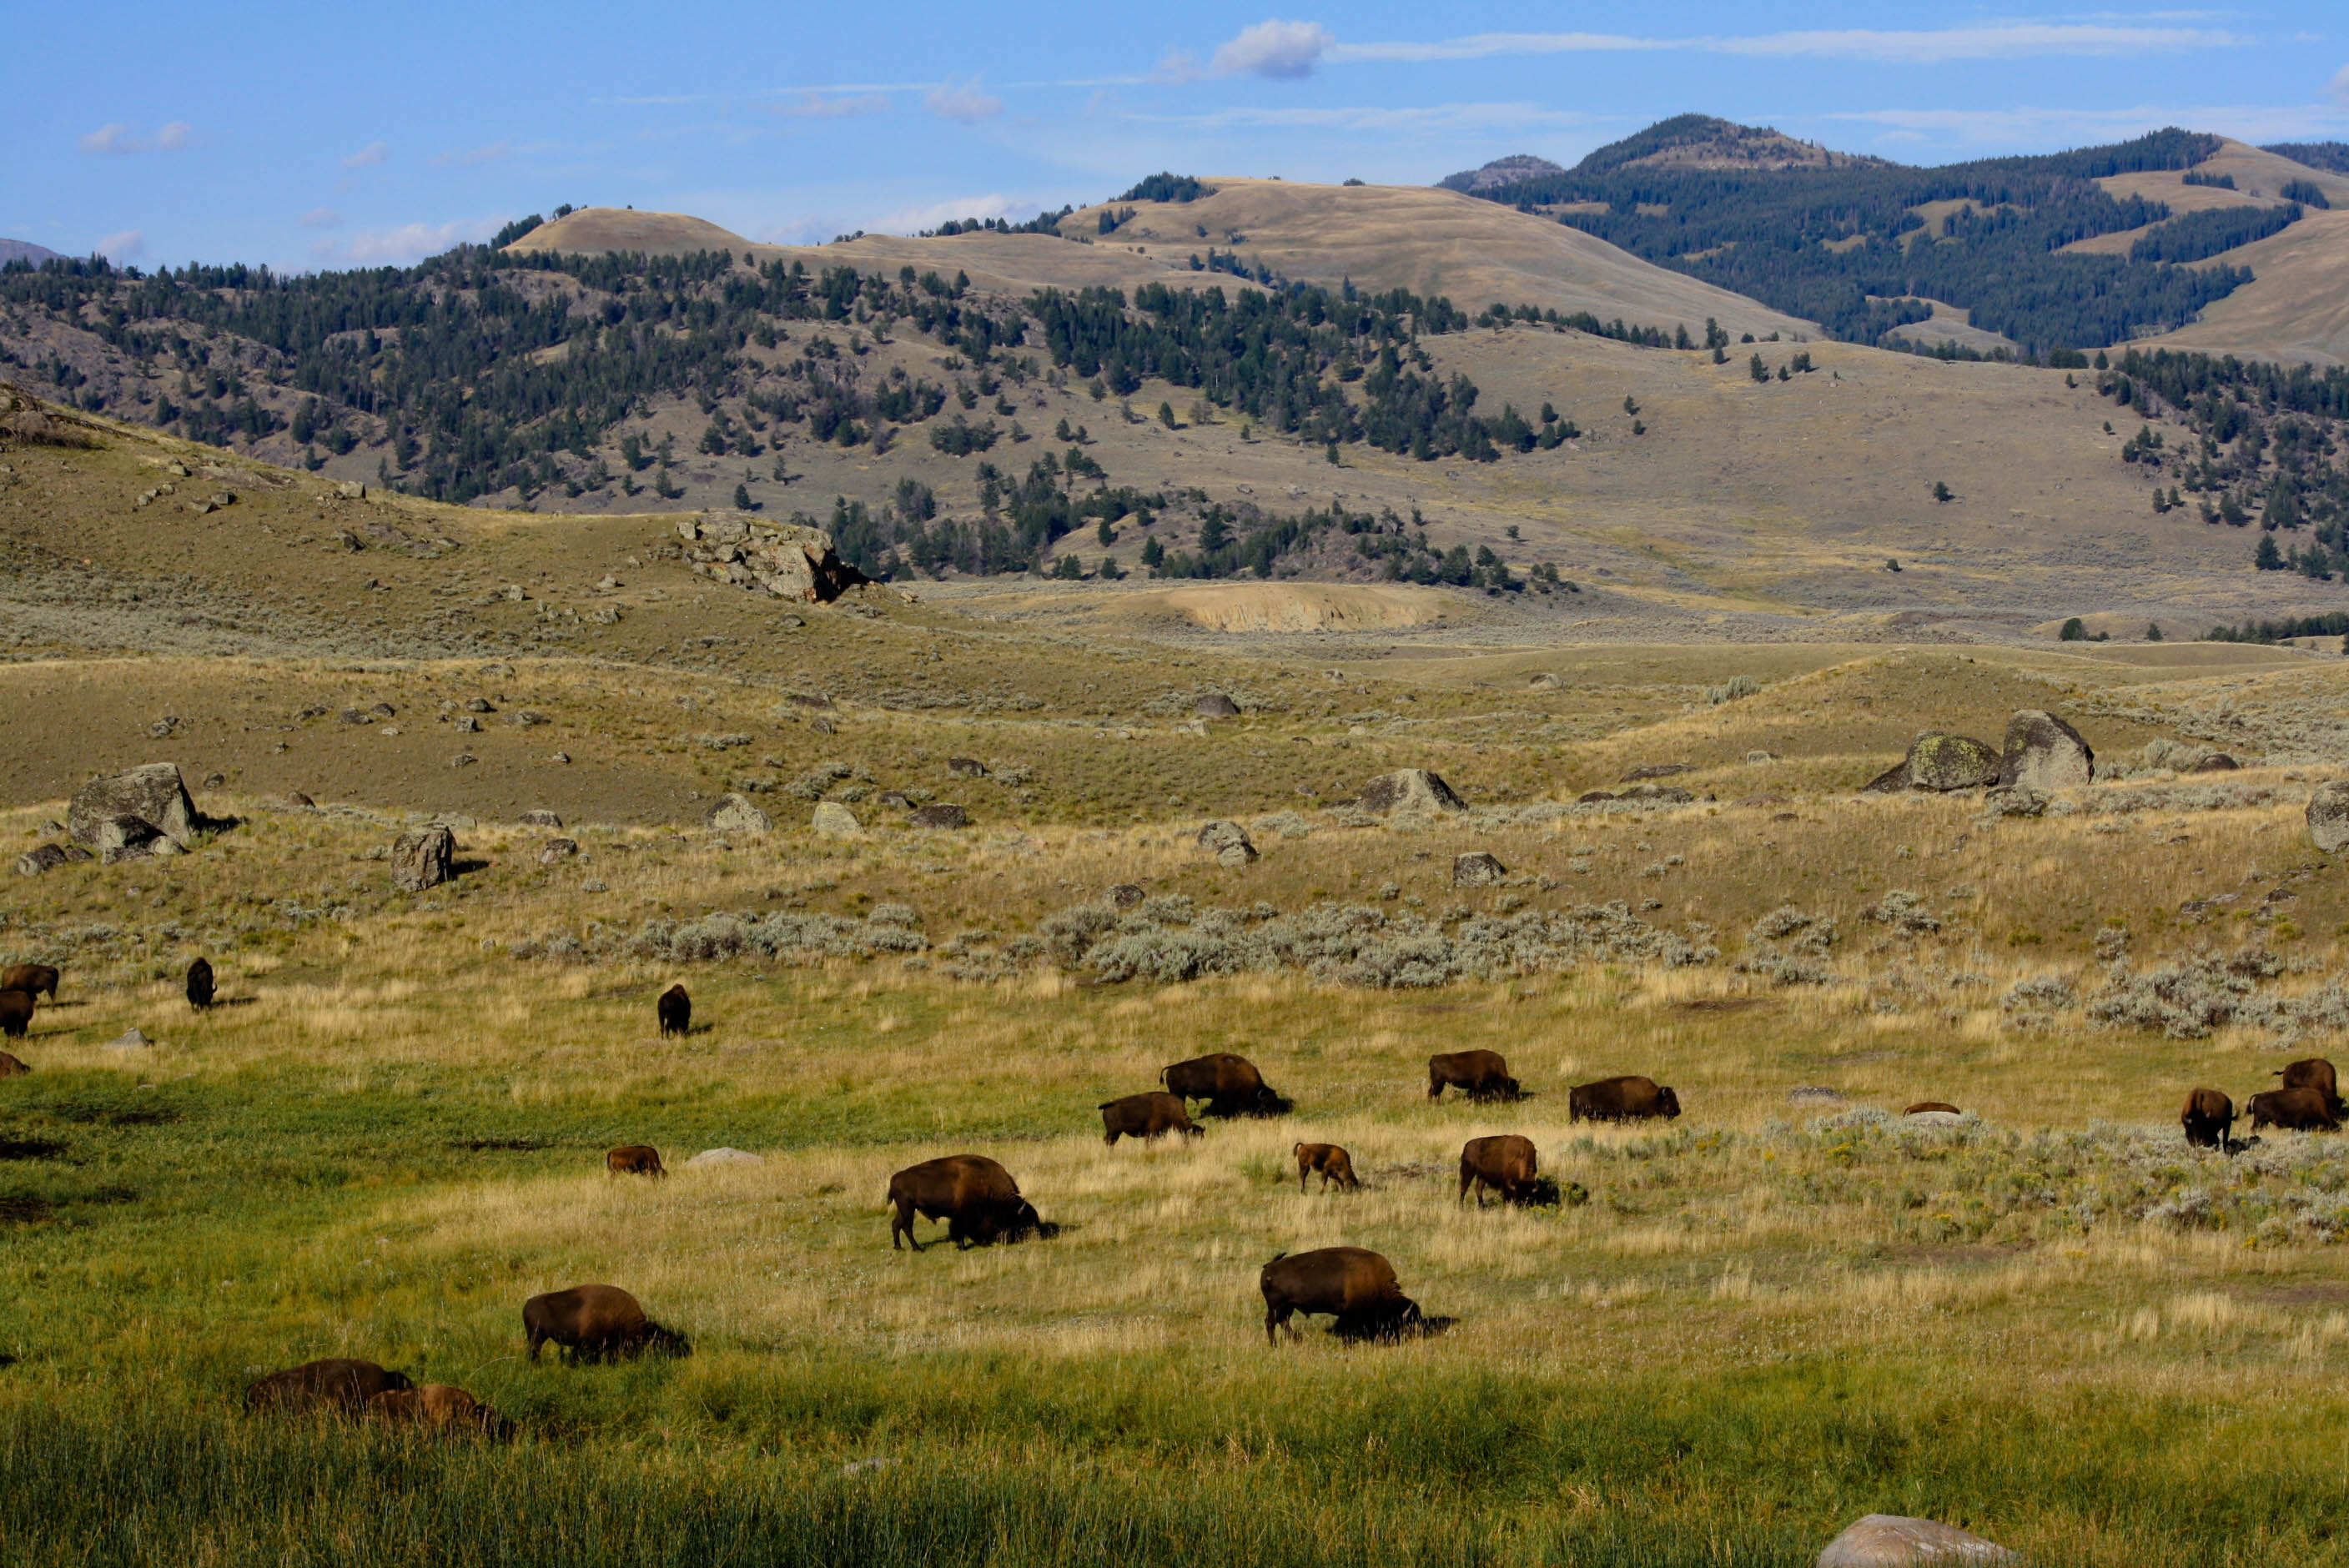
[{"x": 981, "y": 1203}]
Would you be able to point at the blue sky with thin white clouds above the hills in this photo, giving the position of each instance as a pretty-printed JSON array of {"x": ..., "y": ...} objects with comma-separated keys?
[{"x": 321, "y": 137}]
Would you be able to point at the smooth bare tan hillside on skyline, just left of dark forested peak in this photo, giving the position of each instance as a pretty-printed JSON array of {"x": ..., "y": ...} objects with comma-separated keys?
[{"x": 1432, "y": 243}]
